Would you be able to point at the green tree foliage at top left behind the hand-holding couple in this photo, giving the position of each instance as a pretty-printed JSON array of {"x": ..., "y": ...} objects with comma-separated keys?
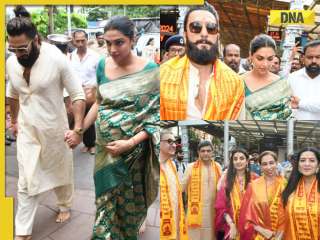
[{"x": 40, "y": 19}]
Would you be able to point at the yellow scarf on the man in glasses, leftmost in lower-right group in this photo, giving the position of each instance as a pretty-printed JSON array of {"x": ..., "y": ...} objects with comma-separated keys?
[{"x": 168, "y": 229}]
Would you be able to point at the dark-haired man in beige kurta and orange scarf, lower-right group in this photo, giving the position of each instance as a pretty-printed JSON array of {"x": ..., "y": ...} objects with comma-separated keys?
[{"x": 210, "y": 173}]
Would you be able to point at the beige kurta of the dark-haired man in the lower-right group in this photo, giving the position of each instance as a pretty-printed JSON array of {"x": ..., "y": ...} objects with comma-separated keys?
[{"x": 206, "y": 231}]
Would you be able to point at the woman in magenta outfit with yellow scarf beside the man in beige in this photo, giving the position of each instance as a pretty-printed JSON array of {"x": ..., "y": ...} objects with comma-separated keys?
[{"x": 231, "y": 189}]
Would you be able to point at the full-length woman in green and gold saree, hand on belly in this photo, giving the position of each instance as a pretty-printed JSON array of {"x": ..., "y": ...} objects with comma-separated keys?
[{"x": 126, "y": 170}]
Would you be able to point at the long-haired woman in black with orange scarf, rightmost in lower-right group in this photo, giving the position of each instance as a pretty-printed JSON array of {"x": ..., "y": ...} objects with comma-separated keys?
[{"x": 301, "y": 197}]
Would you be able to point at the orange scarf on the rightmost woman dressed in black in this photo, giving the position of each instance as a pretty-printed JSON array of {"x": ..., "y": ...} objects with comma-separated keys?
[{"x": 304, "y": 212}]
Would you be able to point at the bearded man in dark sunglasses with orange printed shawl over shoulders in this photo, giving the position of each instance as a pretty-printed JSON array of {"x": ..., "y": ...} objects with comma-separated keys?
[{"x": 198, "y": 85}]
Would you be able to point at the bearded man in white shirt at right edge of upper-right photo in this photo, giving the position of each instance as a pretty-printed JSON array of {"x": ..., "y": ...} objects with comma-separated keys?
[{"x": 305, "y": 84}]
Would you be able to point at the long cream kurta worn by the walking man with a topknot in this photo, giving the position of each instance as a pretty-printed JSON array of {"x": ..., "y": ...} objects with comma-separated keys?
[{"x": 44, "y": 159}]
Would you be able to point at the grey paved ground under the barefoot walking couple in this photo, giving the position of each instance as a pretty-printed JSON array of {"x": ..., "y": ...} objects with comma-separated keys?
[{"x": 79, "y": 227}]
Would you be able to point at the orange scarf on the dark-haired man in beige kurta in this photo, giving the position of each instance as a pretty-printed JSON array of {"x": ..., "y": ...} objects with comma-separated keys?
[{"x": 194, "y": 217}]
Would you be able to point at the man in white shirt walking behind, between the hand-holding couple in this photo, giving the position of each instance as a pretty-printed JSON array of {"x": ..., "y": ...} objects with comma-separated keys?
[{"x": 85, "y": 61}]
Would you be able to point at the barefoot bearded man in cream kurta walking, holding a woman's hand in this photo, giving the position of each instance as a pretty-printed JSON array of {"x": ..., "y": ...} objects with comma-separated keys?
[{"x": 44, "y": 158}]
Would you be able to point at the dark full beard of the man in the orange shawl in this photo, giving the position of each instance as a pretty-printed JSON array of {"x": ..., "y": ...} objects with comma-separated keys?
[{"x": 202, "y": 56}]
